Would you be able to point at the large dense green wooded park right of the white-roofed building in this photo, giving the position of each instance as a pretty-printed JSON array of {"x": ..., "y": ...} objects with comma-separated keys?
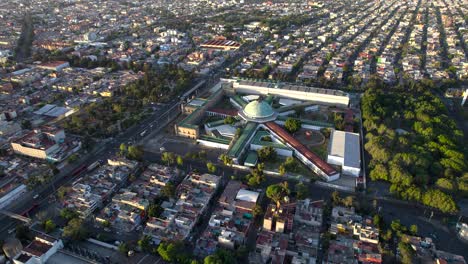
[{"x": 415, "y": 146}]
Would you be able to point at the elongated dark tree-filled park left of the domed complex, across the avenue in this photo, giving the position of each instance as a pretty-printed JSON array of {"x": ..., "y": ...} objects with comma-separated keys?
[{"x": 128, "y": 106}]
